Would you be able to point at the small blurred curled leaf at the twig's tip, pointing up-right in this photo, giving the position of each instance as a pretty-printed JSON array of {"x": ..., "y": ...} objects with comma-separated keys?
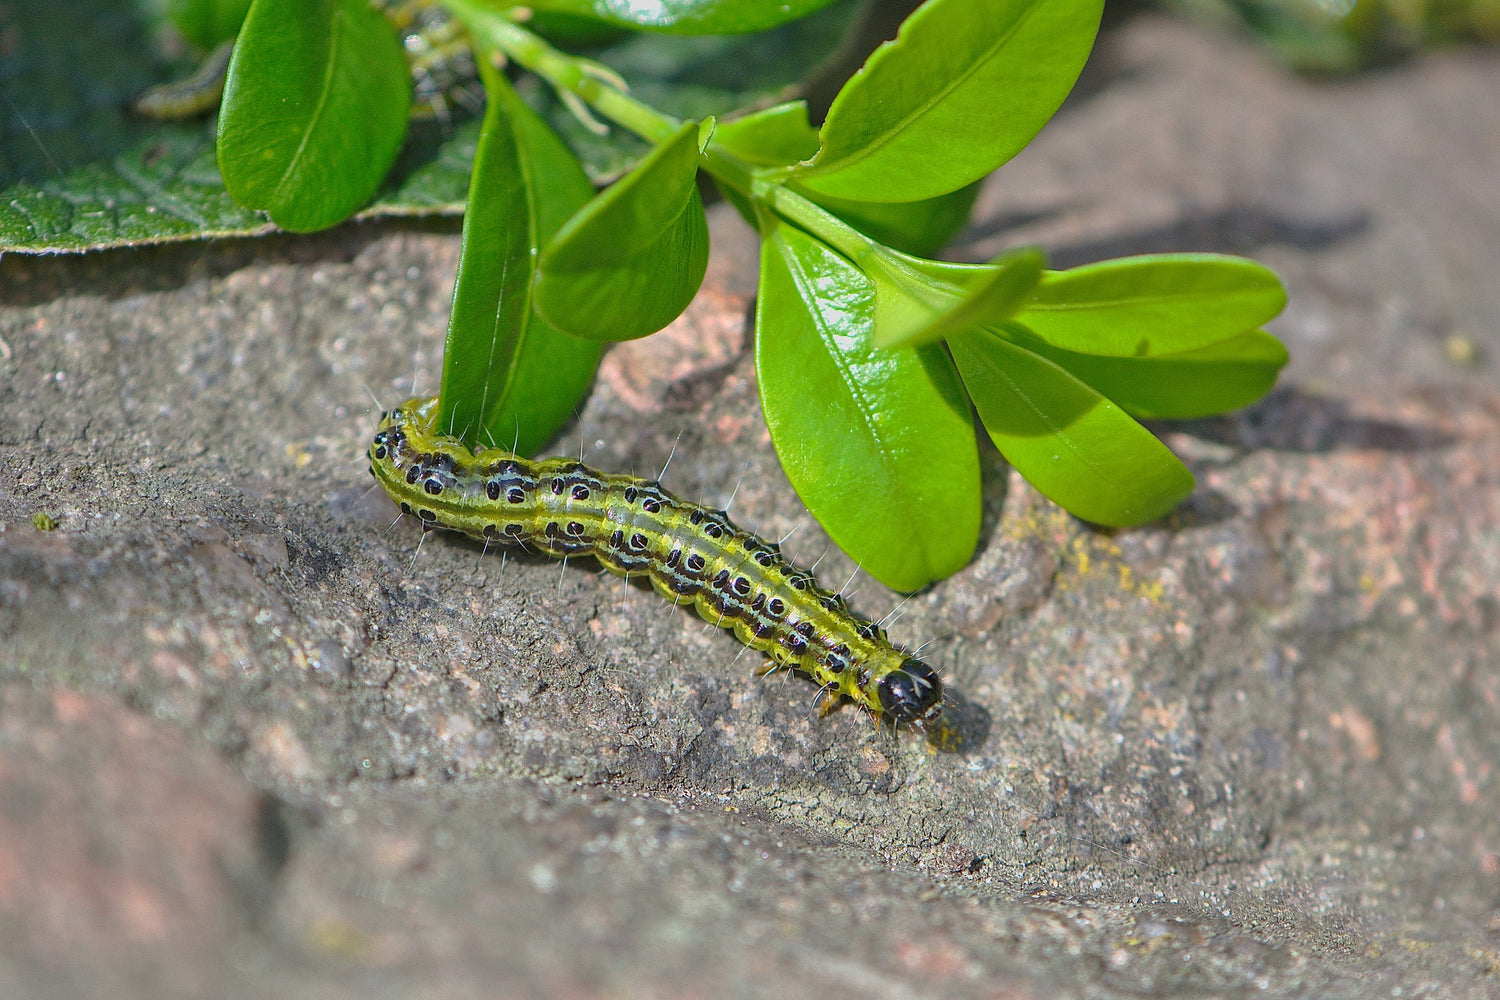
[{"x": 988, "y": 301}]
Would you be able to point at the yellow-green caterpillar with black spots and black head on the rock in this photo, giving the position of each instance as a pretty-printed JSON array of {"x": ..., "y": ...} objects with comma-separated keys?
[{"x": 691, "y": 554}]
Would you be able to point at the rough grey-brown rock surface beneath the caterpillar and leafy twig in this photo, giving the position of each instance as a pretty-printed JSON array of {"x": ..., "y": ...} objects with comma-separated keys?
[{"x": 256, "y": 738}]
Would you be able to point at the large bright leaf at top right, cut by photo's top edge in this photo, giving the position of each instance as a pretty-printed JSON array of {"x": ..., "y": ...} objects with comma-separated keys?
[{"x": 973, "y": 79}]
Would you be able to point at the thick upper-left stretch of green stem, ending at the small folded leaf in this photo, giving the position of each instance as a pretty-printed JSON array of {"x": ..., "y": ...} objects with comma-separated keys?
[{"x": 494, "y": 32}]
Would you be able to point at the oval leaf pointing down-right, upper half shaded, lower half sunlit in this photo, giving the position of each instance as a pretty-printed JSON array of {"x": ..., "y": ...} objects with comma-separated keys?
[{"x": 1073, "y": 445}]
